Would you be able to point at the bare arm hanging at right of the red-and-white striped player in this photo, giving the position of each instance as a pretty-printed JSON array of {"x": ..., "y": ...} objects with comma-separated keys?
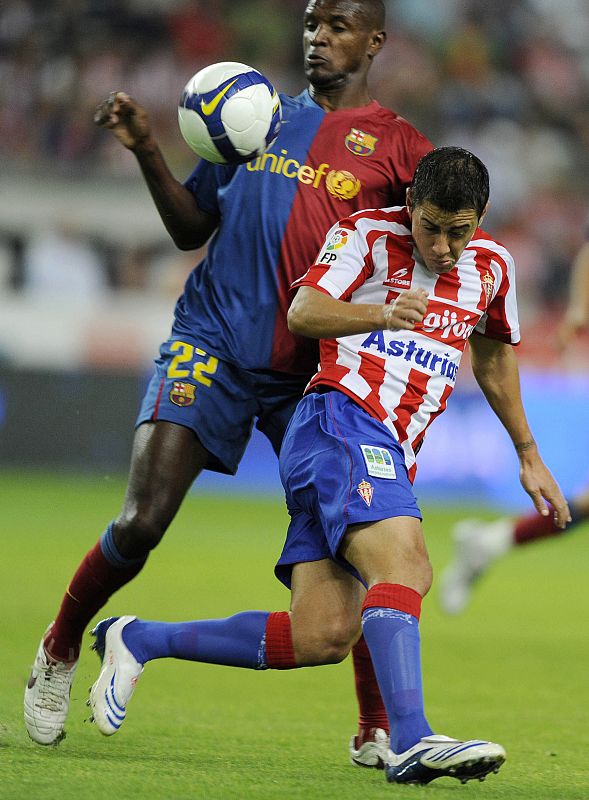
[{"x": 495, "y": 368}]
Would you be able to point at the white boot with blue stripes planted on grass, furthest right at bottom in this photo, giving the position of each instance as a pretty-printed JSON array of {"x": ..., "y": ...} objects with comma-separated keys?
[{"x": 439, "y": 756}]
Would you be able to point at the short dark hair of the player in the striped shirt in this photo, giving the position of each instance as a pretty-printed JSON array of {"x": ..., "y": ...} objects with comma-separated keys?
[{"x": 452, "y": 179}]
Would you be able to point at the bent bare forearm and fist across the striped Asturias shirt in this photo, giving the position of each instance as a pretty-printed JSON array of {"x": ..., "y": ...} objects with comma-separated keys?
[{"x": 320, "y": 316}]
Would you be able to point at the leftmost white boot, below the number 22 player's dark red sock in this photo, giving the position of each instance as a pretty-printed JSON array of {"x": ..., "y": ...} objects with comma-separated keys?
[{"x": 47, "y": 697}]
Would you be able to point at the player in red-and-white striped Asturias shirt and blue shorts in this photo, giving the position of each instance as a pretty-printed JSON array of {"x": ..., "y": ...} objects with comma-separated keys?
[{"x": 394, "y": 296}]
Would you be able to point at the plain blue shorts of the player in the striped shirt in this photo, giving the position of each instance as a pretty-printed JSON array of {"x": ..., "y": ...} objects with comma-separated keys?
[{"x": 339, "y": 466}]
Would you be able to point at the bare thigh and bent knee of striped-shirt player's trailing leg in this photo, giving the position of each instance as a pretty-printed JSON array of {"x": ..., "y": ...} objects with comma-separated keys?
[{"x": 326, "y": 605}]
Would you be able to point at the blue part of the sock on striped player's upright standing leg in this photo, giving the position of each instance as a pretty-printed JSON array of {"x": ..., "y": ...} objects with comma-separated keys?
[{"x": 393, "y": 640}]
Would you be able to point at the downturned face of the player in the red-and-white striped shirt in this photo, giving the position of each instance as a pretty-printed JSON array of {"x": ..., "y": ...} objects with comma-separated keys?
[{"x": 441, "y": 236}]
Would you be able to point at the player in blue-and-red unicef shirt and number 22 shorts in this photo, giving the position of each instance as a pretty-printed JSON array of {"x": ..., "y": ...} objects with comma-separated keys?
[{"x": 230, "y": 361}]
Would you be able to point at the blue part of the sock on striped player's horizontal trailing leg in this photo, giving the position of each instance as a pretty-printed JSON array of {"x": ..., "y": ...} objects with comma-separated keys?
[{"x": 238, "y": 641}]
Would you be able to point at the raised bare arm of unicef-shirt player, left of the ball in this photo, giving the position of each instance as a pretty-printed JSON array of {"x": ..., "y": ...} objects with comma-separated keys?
[{"x": 188, "y": 225}]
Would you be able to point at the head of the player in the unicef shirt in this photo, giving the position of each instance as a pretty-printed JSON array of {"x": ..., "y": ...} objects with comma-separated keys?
[{"x": 336, "y": 42}]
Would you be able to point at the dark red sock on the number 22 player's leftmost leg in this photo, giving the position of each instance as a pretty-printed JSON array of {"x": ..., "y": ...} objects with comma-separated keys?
[{"x": 94, "y": 582}]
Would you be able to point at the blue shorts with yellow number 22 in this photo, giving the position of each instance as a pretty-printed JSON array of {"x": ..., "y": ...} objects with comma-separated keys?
[{"x": 219, "y": 401}]
